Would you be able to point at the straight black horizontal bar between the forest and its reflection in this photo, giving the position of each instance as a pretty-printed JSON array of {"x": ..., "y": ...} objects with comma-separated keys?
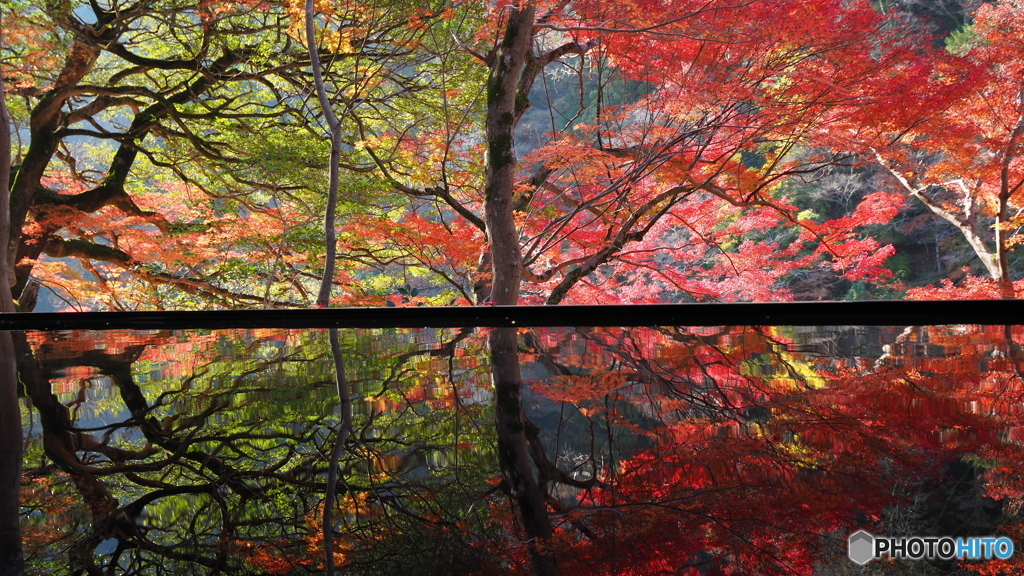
[{"x": 888, "y": 313}]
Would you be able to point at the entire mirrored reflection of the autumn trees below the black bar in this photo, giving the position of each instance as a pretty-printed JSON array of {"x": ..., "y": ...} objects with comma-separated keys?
[{"x": 645, "y": 451}]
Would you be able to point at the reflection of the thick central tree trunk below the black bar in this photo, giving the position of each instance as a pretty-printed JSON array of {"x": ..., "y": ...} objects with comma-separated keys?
[{"x": 514, "y": 448}]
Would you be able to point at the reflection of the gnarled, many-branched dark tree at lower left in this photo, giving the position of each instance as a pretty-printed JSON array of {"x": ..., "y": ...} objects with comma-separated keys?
[{"x": 179, "y": 489}]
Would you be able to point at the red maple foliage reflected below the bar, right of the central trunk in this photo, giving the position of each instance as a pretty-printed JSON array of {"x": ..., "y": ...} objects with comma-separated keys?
[{"x": 760, "y": 455}]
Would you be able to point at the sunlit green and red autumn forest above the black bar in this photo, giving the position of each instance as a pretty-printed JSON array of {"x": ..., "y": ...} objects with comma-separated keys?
[{"x": 175, "y": 155}]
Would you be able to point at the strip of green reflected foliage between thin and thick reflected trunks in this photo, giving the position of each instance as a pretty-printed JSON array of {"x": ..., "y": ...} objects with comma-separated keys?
[{"x": 413, "y": 481}]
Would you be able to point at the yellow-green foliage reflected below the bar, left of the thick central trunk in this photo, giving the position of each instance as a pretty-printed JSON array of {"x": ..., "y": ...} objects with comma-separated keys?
[{"x": 243, "y": 424}]
